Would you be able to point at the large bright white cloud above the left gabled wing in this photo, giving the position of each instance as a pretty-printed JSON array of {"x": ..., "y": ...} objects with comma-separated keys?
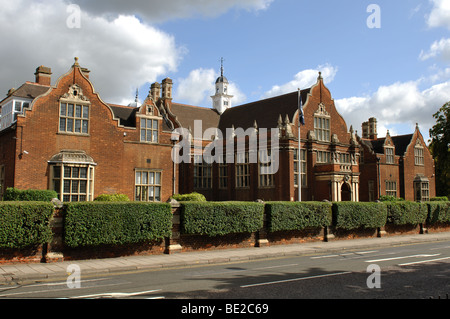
[{"x": 122, "y": 53}]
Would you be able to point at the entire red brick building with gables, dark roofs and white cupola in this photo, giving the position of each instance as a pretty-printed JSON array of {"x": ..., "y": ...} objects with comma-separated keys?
[{"x": 65, "y": 137}]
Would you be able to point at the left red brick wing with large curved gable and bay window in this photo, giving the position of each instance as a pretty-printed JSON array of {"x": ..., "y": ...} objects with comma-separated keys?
[{"x": 66, "y": 138}]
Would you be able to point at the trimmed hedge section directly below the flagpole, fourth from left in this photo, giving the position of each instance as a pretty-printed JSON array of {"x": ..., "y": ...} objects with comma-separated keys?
[{"x": 297, "y": 215}]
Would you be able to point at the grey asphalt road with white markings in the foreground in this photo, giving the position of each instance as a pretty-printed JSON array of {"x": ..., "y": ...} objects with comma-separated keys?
[{"x": 419, "y": 271}]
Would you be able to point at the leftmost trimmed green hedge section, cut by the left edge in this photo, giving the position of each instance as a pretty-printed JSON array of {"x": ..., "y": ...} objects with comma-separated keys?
[{"x": 24, "y": 224}]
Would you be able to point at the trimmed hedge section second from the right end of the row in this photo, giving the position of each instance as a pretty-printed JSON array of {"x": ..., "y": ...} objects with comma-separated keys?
[{"x": 406, "y": 213}]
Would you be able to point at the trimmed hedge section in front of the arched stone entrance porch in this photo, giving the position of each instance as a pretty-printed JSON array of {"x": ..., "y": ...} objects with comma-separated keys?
[{"x": 354, "y": 215}]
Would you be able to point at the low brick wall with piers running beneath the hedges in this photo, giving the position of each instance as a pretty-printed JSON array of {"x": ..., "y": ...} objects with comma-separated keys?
[{"x": 178, "y": 242}]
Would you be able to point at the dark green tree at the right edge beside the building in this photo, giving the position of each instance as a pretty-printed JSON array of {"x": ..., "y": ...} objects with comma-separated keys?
[{"x": 440, "y": 148}]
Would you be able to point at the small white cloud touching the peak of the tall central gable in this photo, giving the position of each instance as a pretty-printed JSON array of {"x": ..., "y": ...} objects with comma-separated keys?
[{"x": 303, "y": 79}]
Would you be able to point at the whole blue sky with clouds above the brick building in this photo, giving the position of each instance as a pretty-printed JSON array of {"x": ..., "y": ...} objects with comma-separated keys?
[{"x": 399, "y": 73}]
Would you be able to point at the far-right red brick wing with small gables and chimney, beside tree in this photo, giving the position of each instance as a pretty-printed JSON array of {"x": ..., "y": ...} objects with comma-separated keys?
[{"x": 400, "y": 166}]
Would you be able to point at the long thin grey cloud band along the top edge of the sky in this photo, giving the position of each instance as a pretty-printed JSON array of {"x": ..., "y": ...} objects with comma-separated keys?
[{"x": 154, "y": 11}]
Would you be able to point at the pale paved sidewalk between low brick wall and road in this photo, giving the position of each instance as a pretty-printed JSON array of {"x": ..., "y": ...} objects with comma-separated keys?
[{"x": 58, "y": 271}]
